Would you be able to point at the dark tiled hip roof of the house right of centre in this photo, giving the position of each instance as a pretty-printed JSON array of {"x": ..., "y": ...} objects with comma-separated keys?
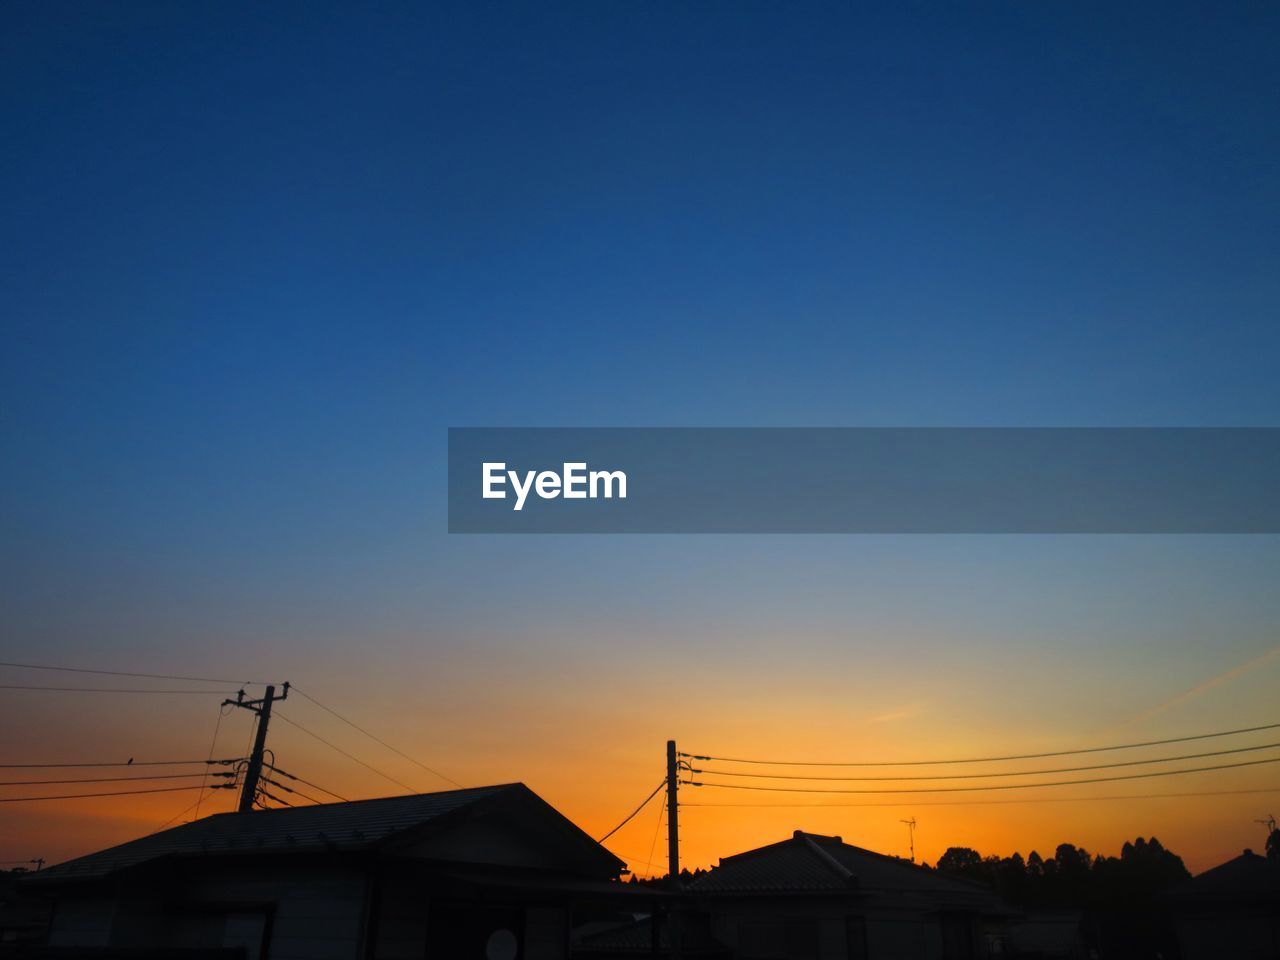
[{"x": 815, "y": 863}]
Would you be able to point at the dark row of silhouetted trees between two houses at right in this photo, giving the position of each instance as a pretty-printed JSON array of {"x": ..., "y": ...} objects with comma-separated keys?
[{"x": 1072, "y": 877}]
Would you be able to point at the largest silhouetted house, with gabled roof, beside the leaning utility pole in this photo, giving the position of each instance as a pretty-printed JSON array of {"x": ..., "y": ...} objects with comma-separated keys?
[{"x": 487, "y": 872}]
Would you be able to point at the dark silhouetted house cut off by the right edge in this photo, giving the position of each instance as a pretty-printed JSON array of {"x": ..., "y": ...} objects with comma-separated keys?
[{"x": 1232, "y": 911}]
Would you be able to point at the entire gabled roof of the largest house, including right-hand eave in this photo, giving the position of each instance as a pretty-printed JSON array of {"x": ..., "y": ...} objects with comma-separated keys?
[{"x": 356, "y": 826}]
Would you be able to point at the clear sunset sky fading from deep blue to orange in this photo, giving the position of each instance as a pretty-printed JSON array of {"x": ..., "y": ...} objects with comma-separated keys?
[{"x": 255, "y": 264}]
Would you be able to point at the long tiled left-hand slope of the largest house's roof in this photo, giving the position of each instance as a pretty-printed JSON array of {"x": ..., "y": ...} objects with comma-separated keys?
[{"x": 351, "y": 826}]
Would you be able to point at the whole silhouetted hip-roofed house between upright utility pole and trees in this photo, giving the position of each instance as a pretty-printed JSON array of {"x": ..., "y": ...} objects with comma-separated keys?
[{"x": 816, "y": 898}]
